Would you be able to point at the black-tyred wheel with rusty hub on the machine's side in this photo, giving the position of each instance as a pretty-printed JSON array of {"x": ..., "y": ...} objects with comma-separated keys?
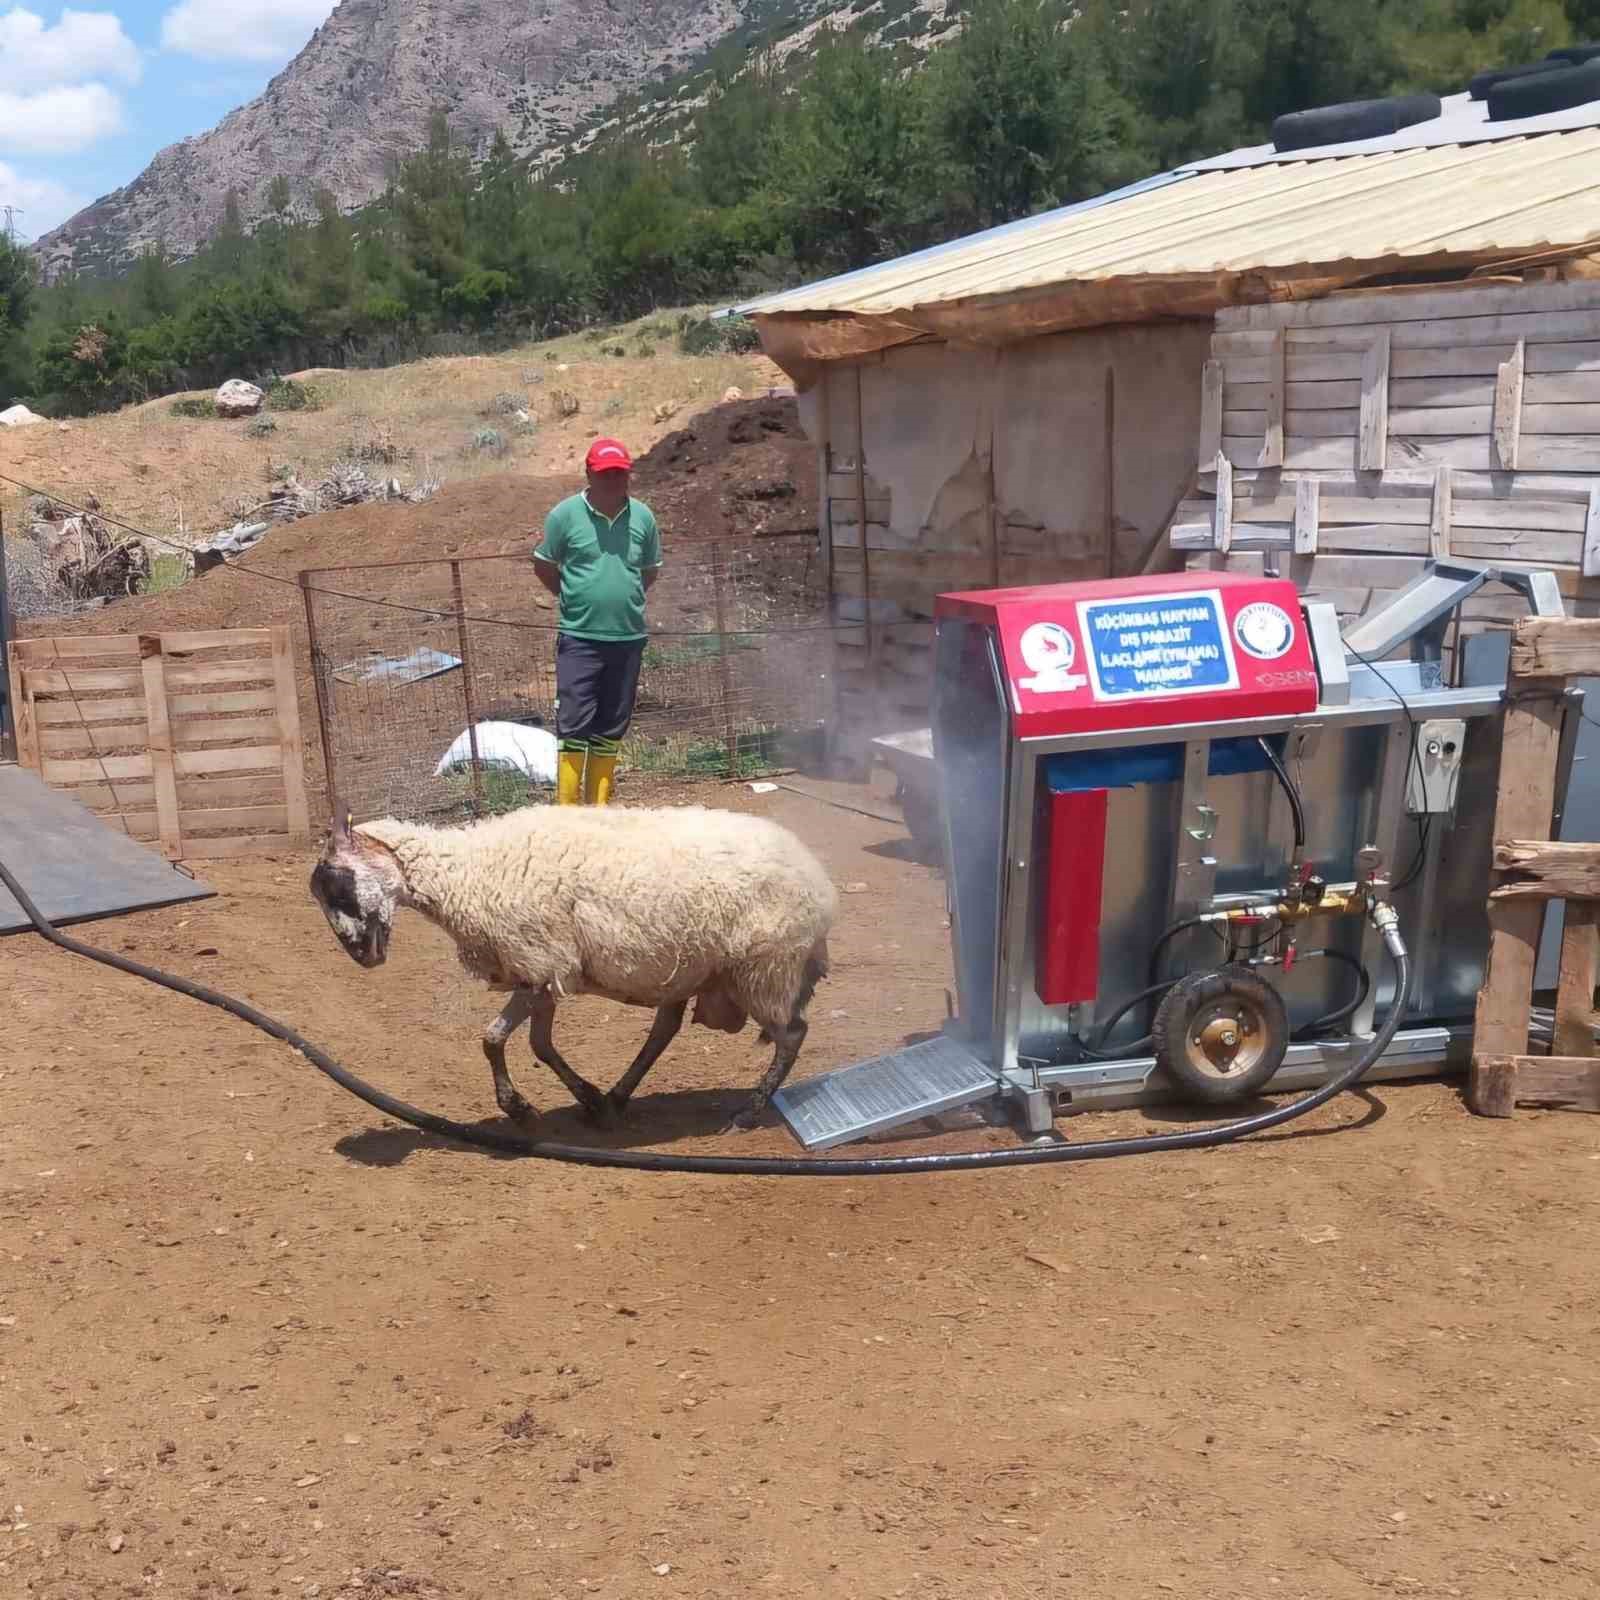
[{"x": 1222, "y": 1036}]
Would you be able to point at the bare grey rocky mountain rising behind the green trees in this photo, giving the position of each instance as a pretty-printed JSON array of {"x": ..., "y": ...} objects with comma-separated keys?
[{"x": 361, "y": 94}]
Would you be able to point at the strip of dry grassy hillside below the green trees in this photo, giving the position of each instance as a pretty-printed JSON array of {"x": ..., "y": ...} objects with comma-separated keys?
[{"x": 182, "y": 478}]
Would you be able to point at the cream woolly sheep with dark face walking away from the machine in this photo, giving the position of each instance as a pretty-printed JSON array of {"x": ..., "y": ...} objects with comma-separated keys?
[{"x": 647, "y": 908}]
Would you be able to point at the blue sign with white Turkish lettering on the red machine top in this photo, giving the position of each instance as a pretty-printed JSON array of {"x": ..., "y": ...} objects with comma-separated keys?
[{"x": 1158, "y": 646}]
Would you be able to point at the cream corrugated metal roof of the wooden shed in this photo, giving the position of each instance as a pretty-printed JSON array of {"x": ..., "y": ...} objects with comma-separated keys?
[{"x": 1234, "y": 230}]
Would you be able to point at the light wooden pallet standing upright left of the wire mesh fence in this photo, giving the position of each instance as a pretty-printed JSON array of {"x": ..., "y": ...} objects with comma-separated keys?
[{"x": 188, "y": 740}]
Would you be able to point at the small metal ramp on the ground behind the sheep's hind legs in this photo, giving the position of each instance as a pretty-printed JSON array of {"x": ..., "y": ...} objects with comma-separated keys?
[{"x": 887, "y": 1092}]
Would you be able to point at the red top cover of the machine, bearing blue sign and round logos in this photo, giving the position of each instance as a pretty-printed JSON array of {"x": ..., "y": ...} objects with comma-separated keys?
[{"x": 1148, "y": 652}]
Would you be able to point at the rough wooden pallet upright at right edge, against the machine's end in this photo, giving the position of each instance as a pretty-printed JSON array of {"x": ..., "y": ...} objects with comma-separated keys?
[{"x": 1530, "y": 871}]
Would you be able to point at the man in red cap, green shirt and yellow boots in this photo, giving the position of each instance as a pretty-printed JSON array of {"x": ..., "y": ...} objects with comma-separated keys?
[{"x": 599, "y": 558}]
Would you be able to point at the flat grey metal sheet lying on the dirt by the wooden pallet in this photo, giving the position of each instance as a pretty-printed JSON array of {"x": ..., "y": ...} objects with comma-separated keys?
[{"x": 73, "y": 865}]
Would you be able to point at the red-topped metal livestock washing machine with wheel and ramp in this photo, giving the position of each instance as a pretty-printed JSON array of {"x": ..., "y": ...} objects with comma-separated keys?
[{"x": 1170, "y": 807}]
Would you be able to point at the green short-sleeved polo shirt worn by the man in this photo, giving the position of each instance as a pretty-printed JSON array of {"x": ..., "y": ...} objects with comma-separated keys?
[{"x": 604, "y": 567}]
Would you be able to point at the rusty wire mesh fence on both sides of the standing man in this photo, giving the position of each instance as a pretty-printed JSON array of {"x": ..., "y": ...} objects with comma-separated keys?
[{"x": 436, "y": 681}]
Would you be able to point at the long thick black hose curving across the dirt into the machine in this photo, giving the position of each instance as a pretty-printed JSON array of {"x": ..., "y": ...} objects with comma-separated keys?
[{"x": 738, "y": 1166}]
